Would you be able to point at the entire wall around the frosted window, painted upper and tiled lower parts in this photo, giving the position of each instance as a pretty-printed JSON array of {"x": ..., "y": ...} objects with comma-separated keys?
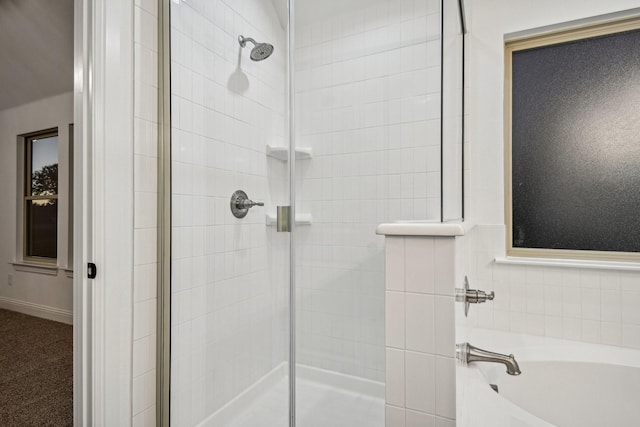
[{"x": 594, "y": 305}]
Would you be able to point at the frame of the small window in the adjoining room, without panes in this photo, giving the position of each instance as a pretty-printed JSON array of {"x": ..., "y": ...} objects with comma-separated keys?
[{"x": 27, "y": 197}]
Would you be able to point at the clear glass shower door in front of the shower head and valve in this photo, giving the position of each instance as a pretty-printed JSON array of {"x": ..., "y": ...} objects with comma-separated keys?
[{"x": 229, "y": 265}]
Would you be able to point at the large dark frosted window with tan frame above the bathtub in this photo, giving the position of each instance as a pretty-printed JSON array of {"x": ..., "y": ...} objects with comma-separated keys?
[{"x": 572, "y": 147}]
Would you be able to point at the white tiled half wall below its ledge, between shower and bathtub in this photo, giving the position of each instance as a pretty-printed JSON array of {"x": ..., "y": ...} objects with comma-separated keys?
[{"x": 420, "y": 331}]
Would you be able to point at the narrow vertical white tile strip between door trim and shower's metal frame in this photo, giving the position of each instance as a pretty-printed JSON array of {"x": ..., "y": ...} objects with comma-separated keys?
[{"x": 145, "y": 213}]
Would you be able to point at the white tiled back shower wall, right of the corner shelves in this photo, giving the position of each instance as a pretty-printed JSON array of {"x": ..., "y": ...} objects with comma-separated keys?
[{"x": 368, "y": 105}]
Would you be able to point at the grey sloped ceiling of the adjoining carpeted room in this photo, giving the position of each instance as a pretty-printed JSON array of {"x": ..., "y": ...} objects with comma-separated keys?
[{"x": 36, "y": 50}]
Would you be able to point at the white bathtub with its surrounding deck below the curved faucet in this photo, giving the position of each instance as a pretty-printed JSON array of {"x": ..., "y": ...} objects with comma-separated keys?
[{"x": 563, "y": 383}]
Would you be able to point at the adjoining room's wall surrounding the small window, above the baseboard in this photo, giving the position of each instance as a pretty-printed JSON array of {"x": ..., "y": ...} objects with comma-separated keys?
[{"x": 41, "y": 294}]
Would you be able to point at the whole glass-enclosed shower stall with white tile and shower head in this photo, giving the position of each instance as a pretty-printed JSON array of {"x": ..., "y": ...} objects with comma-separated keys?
[{"x": 291, "y": 130}]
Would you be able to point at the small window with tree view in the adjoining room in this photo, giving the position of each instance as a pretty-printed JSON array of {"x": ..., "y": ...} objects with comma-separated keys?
[{"x": 41, "y": 197}]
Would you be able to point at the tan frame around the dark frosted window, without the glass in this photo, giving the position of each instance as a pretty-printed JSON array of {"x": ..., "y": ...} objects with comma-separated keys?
[{"x": 529, "y": 42}]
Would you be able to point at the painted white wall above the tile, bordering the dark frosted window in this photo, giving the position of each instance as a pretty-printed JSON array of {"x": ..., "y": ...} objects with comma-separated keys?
[{"x": 489, "y": 21}]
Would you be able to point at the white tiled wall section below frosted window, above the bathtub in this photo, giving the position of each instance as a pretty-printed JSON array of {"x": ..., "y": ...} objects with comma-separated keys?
[{"x": 596, "y": 305}]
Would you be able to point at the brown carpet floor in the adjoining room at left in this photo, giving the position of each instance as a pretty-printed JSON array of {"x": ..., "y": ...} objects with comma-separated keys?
[{"x": 36, "y": 371}]
